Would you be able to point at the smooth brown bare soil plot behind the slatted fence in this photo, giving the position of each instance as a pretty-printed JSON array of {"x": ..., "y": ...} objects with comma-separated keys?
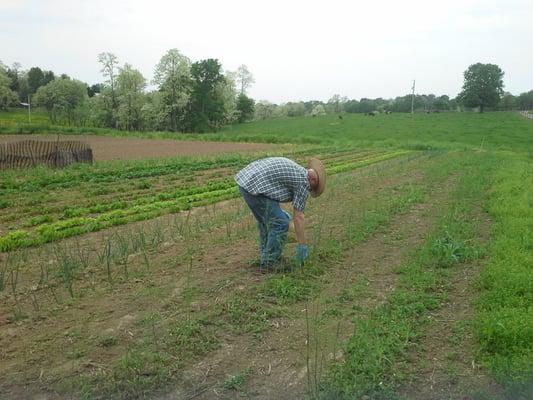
[{"x": 116, "y": 148}]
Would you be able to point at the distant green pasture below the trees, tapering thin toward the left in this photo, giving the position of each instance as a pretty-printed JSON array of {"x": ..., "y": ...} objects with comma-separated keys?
[{"x": 488, "y": 131}]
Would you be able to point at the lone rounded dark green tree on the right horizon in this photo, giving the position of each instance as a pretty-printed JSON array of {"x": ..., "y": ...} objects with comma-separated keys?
[{"x": 483, "y": 86}]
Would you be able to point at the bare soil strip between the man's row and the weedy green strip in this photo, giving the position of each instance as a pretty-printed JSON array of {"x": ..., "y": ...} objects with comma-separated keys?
[{"x": 278, "y": 363}]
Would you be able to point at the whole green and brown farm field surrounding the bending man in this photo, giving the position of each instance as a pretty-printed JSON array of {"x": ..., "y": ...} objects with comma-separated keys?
[{"x": 133, "y": 279}]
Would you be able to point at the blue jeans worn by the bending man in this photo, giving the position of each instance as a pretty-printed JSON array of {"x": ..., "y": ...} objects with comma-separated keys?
[{"x": 273, "y": 224}]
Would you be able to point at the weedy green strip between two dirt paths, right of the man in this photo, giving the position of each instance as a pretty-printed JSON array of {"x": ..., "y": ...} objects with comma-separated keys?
[{"x": 380, "y": 341}]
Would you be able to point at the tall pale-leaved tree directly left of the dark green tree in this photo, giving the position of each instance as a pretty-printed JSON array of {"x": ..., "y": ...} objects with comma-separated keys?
[{"x": 172, "y": 76}]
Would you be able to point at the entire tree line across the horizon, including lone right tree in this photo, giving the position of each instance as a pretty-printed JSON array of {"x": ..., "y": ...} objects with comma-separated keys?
[{"x": 200, "y": 97}]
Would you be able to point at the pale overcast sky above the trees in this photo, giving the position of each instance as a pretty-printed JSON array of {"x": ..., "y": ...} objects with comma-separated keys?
[{"x": 296, "y": 50}]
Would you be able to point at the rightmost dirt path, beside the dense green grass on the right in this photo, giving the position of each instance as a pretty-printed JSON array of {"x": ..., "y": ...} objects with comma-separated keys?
[{"x": 442, "y": 364}]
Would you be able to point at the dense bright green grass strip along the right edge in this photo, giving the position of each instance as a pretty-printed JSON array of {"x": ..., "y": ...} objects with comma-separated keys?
[{"x": 504, "y": 317}]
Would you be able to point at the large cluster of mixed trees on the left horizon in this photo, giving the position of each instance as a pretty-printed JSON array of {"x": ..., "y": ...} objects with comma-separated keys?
[{"x": 189, "y": 96}]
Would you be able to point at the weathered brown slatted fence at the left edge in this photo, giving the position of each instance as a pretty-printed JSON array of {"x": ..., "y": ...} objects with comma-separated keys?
[{"x": 29, "y": 153}]
